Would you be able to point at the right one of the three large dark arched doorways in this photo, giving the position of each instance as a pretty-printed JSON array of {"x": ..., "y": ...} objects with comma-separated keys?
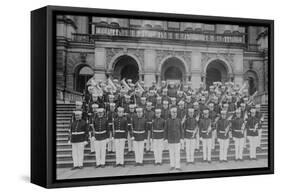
[{"x": 216, "y": 71}]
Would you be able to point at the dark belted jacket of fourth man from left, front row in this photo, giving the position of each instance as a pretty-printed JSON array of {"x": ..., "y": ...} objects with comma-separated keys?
[{"x": 139, "y": 128}]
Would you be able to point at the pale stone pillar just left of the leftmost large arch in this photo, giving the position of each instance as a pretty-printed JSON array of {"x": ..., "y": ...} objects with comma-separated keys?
[{"x": 100, "y": 64}]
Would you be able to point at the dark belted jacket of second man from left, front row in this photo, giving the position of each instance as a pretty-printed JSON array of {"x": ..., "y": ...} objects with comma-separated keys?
[{"x": 101, "y": 130}]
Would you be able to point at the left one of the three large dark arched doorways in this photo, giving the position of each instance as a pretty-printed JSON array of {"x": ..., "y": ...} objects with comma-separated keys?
[{"x": 126, "y": 67}]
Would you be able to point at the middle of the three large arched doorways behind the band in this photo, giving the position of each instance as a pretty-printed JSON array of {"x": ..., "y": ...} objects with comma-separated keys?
[{"x": 173, "y": 69}]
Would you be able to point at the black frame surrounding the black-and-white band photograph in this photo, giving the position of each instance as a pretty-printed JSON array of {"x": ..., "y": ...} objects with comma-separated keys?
[{"x": 43, "y": 97}]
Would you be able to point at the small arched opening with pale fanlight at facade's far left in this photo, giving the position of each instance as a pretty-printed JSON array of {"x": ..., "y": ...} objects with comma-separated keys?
[{"x": 82, "y": 75}]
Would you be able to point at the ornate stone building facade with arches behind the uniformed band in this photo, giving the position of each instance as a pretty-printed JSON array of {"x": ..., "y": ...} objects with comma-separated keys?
[{"x": 159, "y": 50}]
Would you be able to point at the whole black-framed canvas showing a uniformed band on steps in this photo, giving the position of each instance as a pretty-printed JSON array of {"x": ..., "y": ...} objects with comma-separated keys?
[{"x": 126, "y": 96}]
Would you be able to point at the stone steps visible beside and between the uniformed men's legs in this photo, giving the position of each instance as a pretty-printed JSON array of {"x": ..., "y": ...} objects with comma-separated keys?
[{"x": 64, "y": 158}]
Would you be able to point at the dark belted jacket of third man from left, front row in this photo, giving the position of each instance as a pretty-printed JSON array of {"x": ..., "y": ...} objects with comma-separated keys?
[{"x": 120, "y": 127}]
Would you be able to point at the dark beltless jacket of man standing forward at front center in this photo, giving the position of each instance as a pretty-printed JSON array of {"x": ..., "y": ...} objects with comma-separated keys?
[{"x": 173, "y": 132}]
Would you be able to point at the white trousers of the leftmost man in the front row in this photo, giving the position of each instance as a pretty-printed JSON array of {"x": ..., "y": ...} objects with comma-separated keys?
[{"x": 78, "y": 154}]
